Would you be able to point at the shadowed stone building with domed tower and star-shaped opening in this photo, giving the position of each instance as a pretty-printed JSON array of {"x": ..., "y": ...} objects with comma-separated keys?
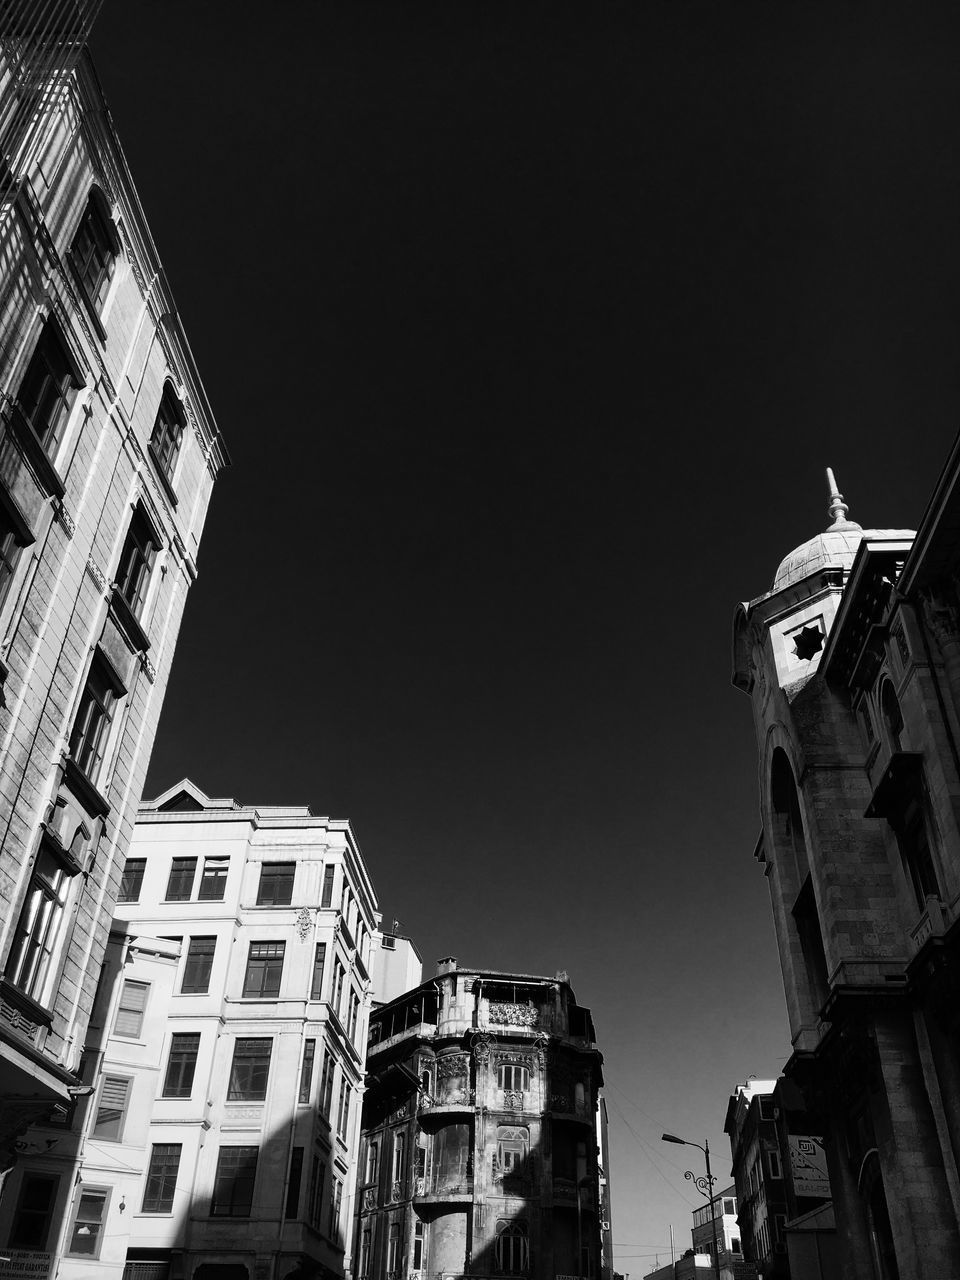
[{"x": 853, "y": 666}]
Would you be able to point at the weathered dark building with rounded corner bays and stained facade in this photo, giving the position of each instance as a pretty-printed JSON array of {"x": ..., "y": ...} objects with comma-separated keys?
[{"x": 481, "y": 1144}]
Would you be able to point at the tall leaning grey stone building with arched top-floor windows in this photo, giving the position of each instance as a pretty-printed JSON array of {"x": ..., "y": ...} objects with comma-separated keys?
[{"x": 108, "y": 458}]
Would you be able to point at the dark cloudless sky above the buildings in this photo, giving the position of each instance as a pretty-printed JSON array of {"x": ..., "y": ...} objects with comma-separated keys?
[{"x": 532, "y": 331}]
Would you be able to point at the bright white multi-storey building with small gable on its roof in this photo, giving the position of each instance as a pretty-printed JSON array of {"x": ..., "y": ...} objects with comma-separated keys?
[{"x": 222, "y": 1139}]
